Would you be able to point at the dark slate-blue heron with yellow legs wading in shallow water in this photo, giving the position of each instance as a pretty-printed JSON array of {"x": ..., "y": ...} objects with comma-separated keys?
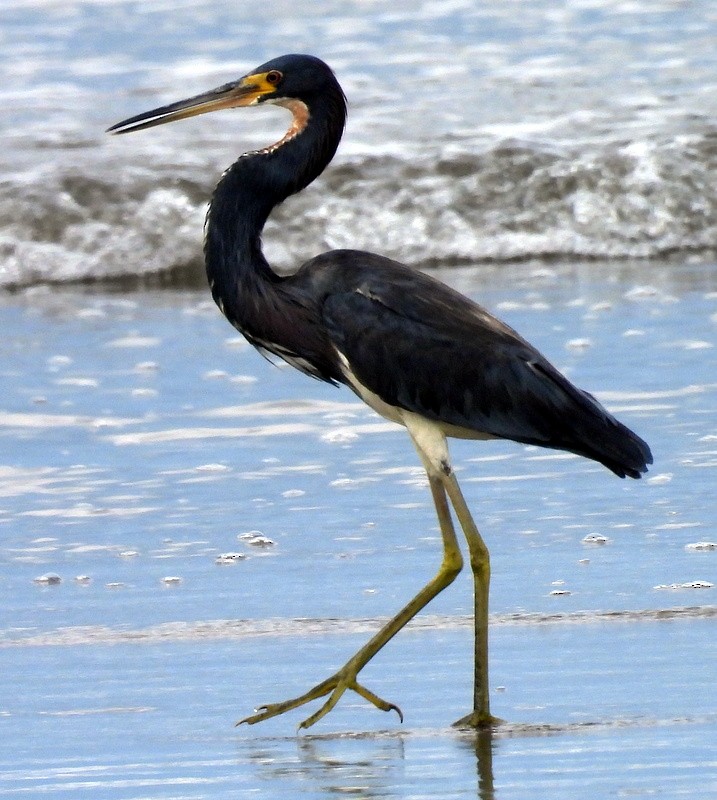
[{"x": 415, "y": 350}]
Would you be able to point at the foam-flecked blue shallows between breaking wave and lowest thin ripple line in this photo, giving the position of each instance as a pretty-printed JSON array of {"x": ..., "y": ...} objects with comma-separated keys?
[{"x": 147, "y": 427}]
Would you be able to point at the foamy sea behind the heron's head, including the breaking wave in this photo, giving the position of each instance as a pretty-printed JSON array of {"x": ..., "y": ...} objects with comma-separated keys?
[{"x": 486, "y": 131}]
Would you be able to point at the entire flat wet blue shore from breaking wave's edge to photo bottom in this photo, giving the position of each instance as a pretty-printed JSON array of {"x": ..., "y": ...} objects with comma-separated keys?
[{"x": 142, "y": 441}]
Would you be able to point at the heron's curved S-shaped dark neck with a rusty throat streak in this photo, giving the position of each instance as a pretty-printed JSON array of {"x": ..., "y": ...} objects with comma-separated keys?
[{"x": 257, "y": 182}]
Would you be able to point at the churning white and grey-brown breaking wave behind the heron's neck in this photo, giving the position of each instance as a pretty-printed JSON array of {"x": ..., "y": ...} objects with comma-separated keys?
[{"x": 98, "y": 212}]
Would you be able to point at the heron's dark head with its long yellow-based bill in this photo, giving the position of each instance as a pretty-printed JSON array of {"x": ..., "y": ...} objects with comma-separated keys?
[{"x": 292, "y": 80}]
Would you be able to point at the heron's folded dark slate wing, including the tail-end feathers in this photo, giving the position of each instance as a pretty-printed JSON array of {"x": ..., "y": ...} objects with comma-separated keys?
[{"x": 423, "y": 347}]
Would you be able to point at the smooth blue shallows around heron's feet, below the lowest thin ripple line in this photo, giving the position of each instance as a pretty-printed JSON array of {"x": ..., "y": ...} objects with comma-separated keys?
[{"x": 155, "y": 720}]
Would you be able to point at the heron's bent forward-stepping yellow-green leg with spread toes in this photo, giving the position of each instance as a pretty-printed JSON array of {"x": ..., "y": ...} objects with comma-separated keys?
[{"x": 345, "y": 678}]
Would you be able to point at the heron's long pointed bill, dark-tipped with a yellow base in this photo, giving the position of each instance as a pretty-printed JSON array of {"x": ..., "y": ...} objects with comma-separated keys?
[{"x": 244, "y": 92}]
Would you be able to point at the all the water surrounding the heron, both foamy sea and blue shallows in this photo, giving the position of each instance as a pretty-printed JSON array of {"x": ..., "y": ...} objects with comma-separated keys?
[{"x": 141, "y": 439}]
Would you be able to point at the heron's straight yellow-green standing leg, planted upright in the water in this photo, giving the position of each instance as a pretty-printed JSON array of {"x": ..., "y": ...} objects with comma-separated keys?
[{"x": 480, "y": 717}]
